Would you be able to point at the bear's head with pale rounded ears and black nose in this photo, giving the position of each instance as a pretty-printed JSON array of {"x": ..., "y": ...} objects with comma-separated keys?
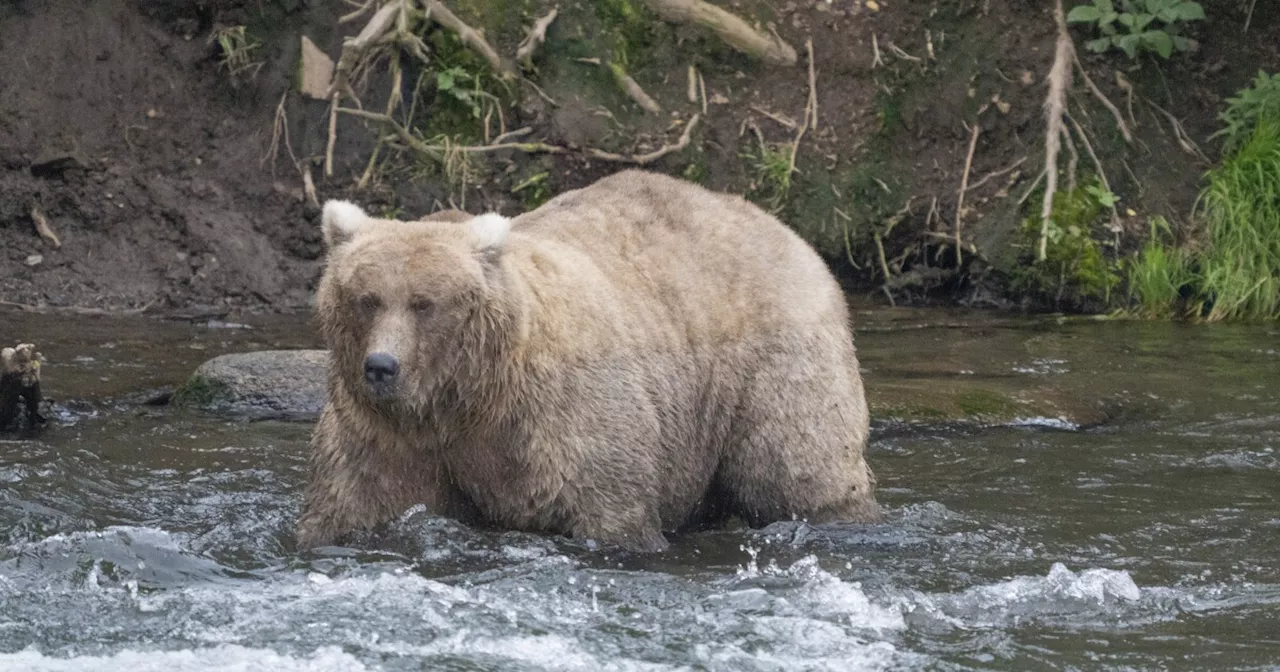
[{"x": 405, "y": 305}]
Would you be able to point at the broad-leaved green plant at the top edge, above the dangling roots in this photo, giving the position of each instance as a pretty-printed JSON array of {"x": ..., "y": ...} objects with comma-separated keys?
[{"x": 1140, "y": 25}]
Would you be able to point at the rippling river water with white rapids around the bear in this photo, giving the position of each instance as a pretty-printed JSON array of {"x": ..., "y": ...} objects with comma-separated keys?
[{"x": 138, "y": 538}]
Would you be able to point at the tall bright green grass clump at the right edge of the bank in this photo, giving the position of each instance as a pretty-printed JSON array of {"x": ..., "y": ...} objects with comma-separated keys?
[{"x": 1241, "y": 272}]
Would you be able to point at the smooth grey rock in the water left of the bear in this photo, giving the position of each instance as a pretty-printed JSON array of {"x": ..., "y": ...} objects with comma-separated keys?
[{"x": 282, "y": 385}]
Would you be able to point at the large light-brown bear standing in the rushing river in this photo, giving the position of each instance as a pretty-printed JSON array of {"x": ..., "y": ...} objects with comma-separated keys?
[{"x": 636, "y": 358}]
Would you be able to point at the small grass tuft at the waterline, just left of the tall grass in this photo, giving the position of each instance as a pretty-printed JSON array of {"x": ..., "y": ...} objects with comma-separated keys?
[{"x": 1159, "y": 276}]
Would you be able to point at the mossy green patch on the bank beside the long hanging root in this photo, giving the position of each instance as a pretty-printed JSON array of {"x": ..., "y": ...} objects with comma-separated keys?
[{"x": 1076, "y": 267}]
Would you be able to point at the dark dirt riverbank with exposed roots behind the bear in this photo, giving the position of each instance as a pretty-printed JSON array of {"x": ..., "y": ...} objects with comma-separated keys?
[{"x": 153, "y": 166}]
